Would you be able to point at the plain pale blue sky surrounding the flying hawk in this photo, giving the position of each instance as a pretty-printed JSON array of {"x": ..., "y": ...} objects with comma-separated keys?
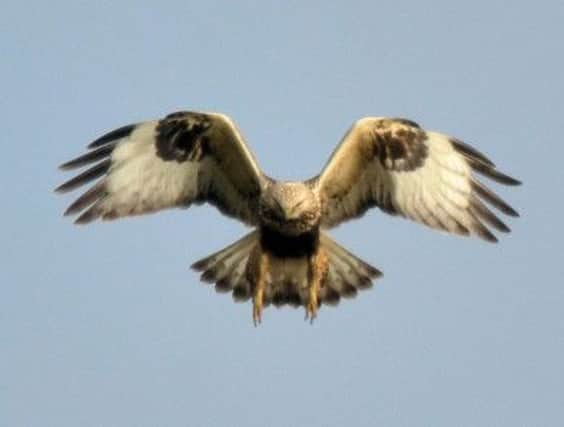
[{"x": 105, "y": 325}]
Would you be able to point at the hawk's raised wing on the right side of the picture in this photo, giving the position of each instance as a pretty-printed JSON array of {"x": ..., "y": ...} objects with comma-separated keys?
[{"x": 404, "y": 170}]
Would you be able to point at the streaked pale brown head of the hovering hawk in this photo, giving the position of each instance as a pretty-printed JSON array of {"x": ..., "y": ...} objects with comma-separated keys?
[{"x": 291, "y": 208}]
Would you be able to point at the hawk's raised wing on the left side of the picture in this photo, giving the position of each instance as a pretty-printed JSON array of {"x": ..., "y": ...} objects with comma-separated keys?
[{"x": 185, "y": 158}]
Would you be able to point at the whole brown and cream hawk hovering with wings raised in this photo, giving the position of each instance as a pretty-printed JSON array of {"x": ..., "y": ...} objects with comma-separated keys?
[{"x": 191, "y": 157}]
